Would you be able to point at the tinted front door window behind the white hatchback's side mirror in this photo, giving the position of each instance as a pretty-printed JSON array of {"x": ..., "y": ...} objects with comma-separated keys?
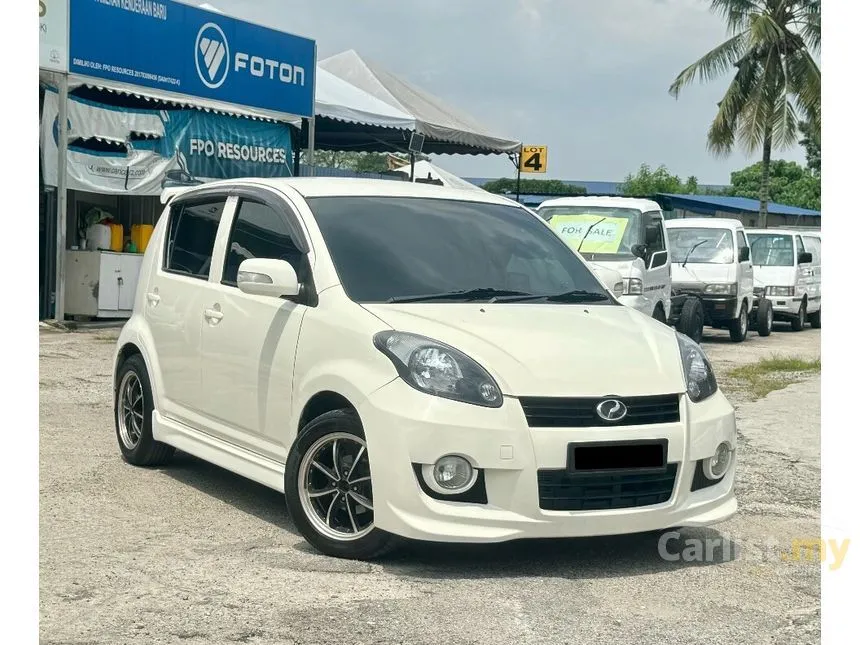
[{"x": 259, "y": 231}]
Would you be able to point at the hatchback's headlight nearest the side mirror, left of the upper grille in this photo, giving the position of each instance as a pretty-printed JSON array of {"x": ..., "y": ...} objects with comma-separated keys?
[{"x": 438, "y": 369}]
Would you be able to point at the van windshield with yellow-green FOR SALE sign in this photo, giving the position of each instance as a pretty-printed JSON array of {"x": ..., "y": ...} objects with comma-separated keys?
[{"x": 600, "y": 230}]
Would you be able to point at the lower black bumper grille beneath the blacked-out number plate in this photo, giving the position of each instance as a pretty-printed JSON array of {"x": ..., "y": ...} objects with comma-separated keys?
[{"x": 563, "y": 491}]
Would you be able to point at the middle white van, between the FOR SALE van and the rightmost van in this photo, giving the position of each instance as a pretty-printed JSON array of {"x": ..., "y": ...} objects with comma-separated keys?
[{"x": 711, "y": 261}]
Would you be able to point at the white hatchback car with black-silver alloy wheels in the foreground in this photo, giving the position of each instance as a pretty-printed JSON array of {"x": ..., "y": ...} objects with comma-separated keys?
[{"x": 415, "y": 361}]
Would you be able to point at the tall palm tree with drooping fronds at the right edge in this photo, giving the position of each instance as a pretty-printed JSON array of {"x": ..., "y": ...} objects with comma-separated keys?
[{"x": 776, "y": 83}]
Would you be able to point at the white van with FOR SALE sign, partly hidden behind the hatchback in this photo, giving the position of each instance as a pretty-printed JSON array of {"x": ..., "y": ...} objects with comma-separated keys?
[{"x": 620, "y": 233}]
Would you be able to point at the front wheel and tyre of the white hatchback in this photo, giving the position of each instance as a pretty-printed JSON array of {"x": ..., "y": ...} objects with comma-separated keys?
[{"x": 328, "y": 505}]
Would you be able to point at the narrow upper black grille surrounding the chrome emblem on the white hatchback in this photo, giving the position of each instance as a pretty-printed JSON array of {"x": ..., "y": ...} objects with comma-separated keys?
[{"x": 552, "y": 412}]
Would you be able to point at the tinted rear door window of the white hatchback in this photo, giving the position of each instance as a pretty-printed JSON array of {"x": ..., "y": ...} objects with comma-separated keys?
[{"x": 191, "y": 237}]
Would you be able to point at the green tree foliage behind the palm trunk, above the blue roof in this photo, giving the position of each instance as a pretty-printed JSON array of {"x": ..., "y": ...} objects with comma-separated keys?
[{"x": 790, "y": 183}]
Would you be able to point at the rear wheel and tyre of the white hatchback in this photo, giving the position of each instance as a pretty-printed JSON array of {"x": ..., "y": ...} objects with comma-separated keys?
[{"x": 133, "y": 408}]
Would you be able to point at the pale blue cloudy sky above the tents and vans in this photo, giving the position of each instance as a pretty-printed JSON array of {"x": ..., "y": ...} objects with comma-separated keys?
[{"x": 588, "y": 78}]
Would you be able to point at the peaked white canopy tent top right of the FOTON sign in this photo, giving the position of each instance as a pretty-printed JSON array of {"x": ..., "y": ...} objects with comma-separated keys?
[{"x": 448, "y": 131}]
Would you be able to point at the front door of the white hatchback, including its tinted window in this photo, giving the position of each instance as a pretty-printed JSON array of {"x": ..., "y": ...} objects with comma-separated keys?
[{"x": 248, "y": 342}]
